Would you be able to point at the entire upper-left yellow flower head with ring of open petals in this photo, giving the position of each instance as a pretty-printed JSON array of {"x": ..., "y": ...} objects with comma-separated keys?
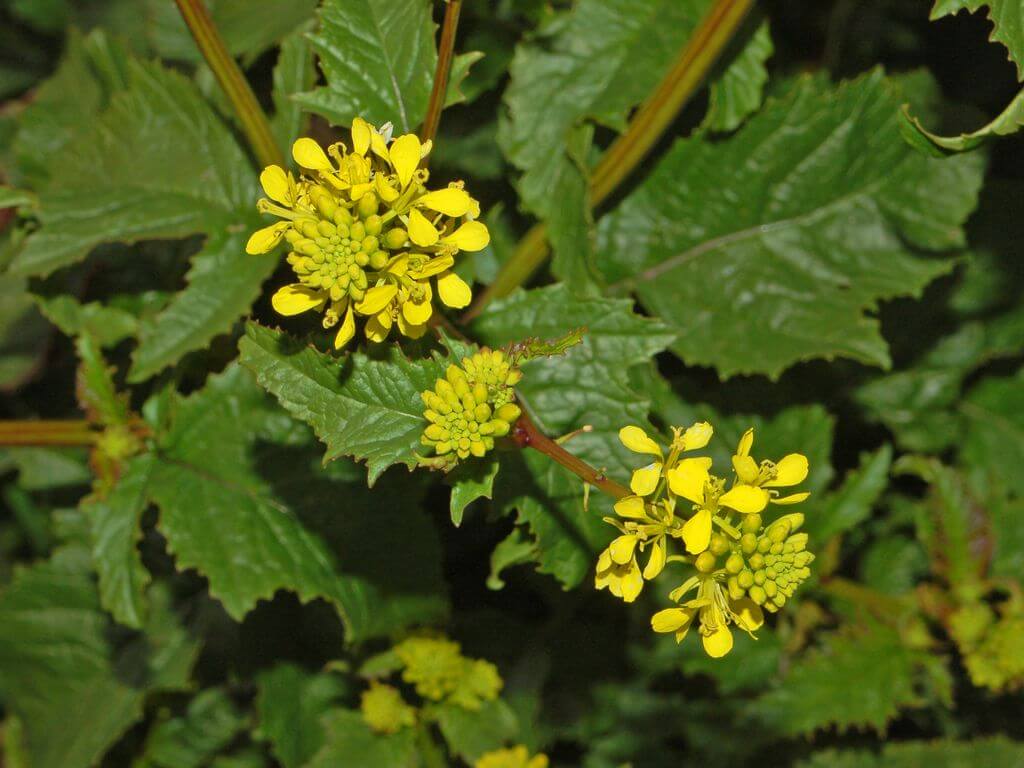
[{"x": 367, "y": 238}]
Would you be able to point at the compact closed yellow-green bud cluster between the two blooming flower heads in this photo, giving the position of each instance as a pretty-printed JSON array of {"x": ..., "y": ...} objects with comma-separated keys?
[{"x": 470, "y": 408}]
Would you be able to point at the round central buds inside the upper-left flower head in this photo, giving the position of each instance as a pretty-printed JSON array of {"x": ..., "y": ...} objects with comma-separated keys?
[{"x": 335, "y": 252}]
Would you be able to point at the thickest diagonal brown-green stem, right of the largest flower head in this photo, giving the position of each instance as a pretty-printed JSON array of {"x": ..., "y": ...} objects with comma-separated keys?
[{"x": 646, "y": 129}]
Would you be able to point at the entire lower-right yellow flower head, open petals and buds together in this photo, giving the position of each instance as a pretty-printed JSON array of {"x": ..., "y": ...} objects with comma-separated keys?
[{"x": 742, "y": 567}]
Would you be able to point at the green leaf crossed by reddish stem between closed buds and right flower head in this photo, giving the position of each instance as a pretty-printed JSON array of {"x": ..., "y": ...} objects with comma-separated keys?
[{"x": 589, "y": 386}]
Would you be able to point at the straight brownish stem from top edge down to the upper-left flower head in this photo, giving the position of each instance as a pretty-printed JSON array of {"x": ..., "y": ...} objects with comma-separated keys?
[{"x": 226, "y": 69}]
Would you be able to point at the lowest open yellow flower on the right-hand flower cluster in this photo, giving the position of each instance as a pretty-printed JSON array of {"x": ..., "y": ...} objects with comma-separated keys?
[{"x": 715, "y": 610}]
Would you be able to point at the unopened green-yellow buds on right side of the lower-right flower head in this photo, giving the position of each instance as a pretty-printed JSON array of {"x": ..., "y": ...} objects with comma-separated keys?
[{"x": 767, "y": 565}]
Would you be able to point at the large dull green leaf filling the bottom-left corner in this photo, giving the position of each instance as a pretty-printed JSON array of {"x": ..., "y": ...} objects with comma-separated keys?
[{"x": 75, "y": 693}]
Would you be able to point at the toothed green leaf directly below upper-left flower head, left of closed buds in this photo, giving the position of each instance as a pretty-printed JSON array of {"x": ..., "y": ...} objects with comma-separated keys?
[{"x": 365, "y": 407}]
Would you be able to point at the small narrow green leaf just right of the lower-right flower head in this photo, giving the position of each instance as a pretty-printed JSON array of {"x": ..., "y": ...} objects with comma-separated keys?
[{"x": 851, "y": 504}]
